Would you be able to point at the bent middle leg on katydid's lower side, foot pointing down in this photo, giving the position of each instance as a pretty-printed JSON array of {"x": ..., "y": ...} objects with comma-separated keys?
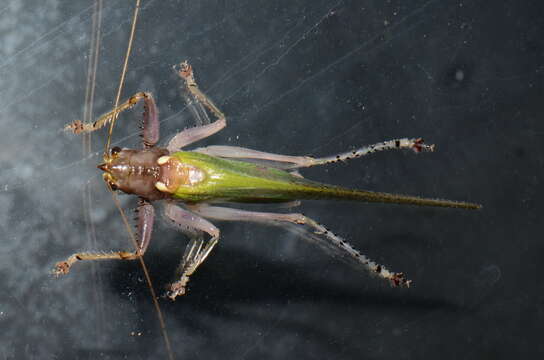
[{"x": 196, "y": 251}]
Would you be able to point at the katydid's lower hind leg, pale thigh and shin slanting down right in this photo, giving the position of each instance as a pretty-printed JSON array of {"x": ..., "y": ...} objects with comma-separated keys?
[{"x": 318, "y": 234}]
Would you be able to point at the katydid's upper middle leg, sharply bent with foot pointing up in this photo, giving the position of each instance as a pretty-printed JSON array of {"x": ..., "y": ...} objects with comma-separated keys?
[{"x": 186, "y": 137}]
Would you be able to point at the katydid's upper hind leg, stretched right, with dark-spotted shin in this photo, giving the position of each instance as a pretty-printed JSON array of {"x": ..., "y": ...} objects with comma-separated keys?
[{"x": 294, "y": 162}]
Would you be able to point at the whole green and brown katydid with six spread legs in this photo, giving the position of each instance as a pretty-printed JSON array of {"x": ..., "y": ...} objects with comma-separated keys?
[{"x": 191, "y": 183}]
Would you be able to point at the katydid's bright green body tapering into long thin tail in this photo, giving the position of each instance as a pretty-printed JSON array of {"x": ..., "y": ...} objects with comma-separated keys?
[{"x": 239, "y": 181}]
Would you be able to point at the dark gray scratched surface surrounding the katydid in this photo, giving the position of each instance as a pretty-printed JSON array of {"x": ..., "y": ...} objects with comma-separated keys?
[{"x": 294, "y": 77}]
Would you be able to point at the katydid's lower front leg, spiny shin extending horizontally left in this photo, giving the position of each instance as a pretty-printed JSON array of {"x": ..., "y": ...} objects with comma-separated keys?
[{"x": 146, "y": 217}]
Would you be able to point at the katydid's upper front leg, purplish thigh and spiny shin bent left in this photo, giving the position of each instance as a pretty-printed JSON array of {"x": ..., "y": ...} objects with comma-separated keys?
[{"x": 150, "y": 124}]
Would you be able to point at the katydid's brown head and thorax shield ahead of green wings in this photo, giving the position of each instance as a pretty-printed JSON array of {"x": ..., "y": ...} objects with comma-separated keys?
[{"x": 133, "y": 171}]
